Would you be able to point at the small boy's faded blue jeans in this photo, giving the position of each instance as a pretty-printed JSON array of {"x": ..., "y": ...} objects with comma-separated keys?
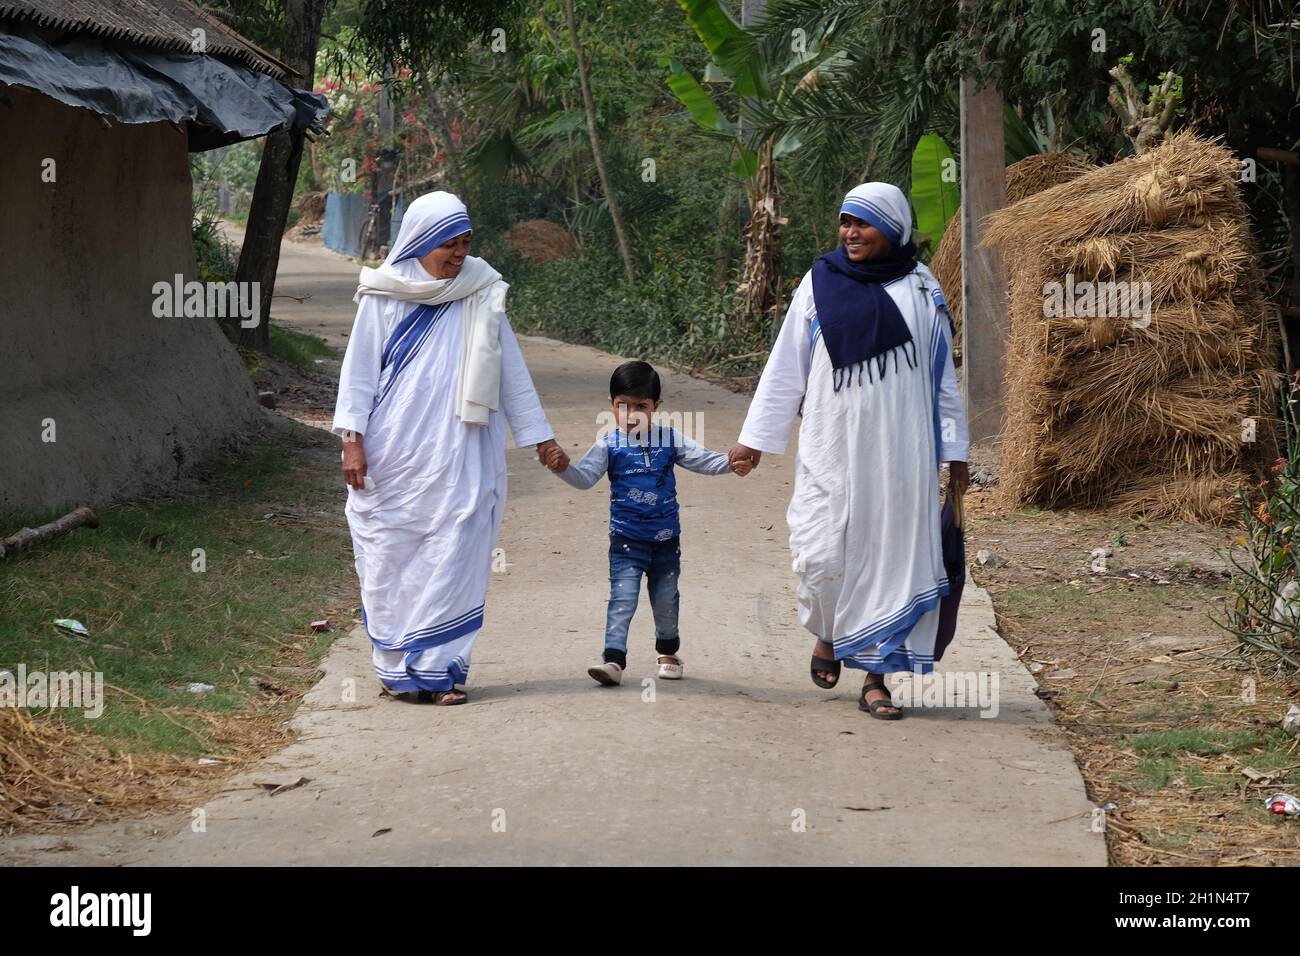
[{"x": 661, "y": 564}]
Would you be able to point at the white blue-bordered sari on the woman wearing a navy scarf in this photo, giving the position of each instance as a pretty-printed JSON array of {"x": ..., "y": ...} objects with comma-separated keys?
[{"x": 864, "y": 517}]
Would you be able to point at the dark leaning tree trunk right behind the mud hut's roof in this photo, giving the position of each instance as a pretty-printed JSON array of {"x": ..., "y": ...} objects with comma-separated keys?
[{"x": 278, "y": 175}]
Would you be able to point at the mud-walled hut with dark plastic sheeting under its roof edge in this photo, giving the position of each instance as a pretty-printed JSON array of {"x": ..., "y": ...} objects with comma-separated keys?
[{"x": 102, "y": 102}]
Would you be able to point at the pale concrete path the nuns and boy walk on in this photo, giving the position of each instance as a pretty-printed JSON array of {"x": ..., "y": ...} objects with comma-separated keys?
[{"x": 746, "y": 762}]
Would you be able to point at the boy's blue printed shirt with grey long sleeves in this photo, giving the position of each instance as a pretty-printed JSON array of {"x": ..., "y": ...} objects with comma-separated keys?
[{"x": 643, "y": 486}]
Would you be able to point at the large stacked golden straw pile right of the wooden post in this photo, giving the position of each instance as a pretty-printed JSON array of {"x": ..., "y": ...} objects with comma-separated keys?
[{"x": 1163, "y": 410}]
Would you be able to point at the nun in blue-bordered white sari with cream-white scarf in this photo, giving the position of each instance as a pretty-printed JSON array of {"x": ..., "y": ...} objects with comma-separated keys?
[{"x": 431, "y": 379}]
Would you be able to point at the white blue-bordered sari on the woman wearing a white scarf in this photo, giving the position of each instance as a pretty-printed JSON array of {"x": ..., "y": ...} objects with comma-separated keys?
[{"x": 424, "y": 537}]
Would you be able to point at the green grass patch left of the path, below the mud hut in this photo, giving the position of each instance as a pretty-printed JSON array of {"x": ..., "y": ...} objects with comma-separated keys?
[{"x": 157, "y": 625}]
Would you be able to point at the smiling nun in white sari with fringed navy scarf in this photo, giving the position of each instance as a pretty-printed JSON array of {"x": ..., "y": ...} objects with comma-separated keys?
[{"x": 865, "y": 356}]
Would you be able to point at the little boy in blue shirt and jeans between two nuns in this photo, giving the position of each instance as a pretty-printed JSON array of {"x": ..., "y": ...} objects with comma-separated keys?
[{"x": 644, "y": 530}]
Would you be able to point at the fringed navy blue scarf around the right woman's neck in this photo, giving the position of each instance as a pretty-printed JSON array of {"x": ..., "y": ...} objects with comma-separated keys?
[{"x": 860, "y": 322}]
